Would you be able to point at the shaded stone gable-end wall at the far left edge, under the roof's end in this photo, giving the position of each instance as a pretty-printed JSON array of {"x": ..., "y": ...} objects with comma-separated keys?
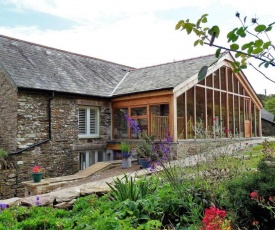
[{"x": 8, "y": 114}]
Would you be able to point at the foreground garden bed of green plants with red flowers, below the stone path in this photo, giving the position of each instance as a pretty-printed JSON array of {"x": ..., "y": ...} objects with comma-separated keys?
[{"x": 154, "y": 203}]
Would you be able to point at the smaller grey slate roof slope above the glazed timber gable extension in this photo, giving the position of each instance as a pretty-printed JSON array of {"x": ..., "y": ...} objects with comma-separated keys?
[{"x": 163, "y": 76}]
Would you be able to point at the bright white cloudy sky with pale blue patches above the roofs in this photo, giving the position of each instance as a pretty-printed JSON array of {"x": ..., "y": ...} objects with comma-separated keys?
[{"x": 136, "y": 33}]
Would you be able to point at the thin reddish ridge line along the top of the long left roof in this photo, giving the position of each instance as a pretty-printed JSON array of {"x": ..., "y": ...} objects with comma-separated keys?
[{"x": 64, "y": 51}]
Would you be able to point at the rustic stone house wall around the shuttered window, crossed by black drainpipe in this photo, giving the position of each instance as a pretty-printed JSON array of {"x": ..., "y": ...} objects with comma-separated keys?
[{"x": 57, "y": 155}]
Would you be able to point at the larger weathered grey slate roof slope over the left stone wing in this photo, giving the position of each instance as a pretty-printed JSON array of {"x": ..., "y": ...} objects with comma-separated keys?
[{"x": 39, "y": 67}]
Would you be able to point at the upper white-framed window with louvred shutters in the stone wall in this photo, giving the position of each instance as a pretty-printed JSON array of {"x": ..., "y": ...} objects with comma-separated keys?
[{"x": 88, "y": 122}]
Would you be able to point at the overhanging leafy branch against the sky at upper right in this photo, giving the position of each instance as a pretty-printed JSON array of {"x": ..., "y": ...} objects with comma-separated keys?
[{"x": 259, "y": 46}]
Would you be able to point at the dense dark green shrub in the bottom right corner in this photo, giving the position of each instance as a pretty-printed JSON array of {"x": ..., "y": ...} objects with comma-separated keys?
[{"x": 245, "y": 211}]
